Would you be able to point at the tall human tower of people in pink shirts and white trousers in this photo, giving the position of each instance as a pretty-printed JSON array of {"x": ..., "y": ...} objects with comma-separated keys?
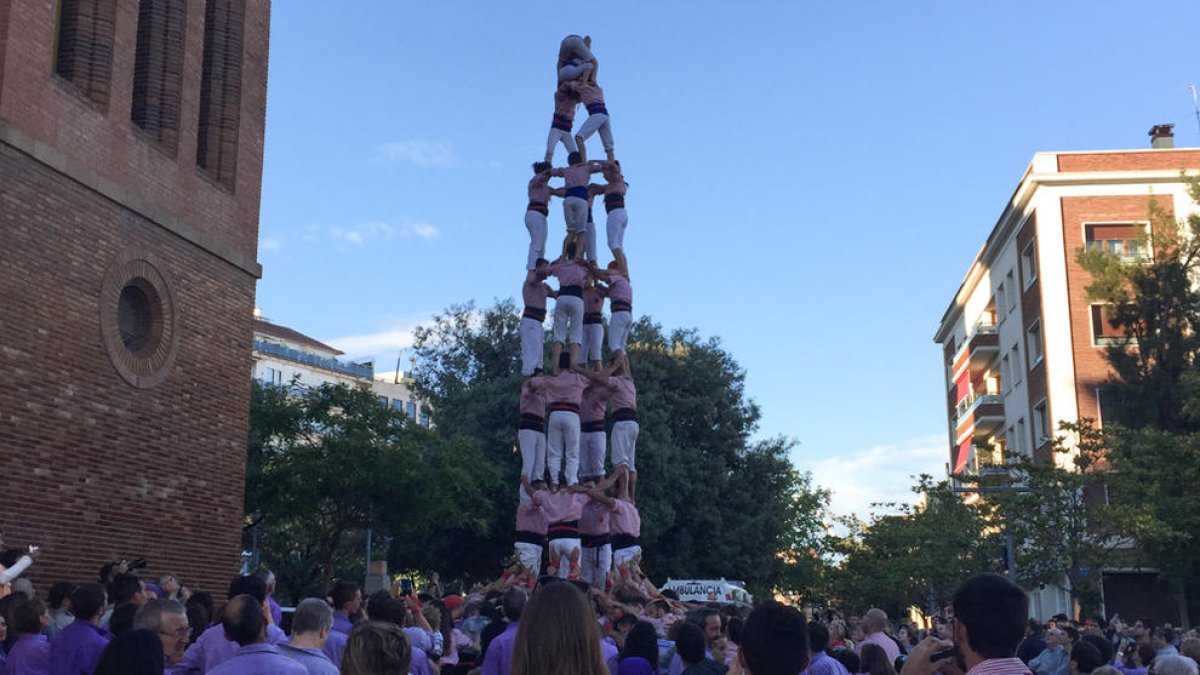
[{"x": 584, "y": 518}]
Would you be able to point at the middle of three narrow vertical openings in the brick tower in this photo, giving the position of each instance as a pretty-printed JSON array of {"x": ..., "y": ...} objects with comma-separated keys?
[{"x": 159, "y": 69}]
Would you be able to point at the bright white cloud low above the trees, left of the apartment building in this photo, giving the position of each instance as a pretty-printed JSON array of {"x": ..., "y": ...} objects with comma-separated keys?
[{"x": 883, "y": 474}]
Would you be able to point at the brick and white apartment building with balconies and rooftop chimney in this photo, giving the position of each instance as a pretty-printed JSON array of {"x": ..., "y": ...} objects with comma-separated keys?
[{"x": 1023, "y": 347}]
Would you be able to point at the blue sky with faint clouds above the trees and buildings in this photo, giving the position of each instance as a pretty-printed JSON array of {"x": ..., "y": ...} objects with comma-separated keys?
[{"x": 808, "y": 182}]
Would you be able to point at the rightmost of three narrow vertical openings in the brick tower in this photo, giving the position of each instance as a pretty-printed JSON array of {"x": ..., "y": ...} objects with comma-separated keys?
[{"x": 221, "y": 89}]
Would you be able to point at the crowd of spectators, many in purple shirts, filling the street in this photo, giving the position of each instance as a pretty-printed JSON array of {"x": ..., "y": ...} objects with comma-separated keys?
[{"x": 124, "y": 625}]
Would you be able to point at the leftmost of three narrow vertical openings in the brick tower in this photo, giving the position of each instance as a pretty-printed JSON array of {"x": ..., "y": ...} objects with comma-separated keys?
[{"x": 83, "y": 53}]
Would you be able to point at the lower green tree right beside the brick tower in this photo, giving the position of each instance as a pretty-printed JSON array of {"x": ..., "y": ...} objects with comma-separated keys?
[{"x": 328, "y": 463}]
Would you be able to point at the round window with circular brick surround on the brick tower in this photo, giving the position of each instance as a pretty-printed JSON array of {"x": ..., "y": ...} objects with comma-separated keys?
[{"x": 139, "y": 322}]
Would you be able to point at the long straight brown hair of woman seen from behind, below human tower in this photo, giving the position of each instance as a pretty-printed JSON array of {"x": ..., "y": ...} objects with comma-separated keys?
[{"x": 559, "y": 635}]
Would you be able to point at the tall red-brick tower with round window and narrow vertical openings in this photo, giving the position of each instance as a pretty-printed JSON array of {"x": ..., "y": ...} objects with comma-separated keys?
[{"x": 131, "y": 160}]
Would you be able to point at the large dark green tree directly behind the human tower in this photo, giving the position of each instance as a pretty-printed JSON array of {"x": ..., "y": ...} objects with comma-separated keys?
[{"x": 713, "y": 504}]
